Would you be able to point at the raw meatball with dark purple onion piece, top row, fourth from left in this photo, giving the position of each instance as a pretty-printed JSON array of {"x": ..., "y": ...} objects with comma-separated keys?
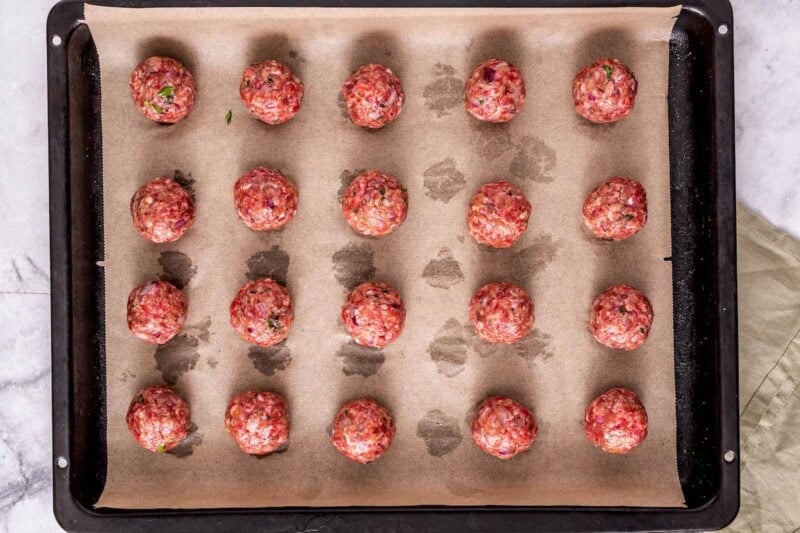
[{"x": 495, "y": 91}]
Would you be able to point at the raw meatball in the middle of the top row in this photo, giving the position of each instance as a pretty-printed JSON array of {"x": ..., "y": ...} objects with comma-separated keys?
[{"x": 374, "y": 96}]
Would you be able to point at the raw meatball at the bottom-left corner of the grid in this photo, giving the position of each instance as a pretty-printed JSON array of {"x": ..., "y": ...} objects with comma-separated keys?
[{"x": 158, "y": 419}]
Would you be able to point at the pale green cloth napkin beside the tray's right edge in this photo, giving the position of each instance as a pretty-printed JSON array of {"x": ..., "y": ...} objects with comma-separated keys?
[{"x": 769, "y": 374}]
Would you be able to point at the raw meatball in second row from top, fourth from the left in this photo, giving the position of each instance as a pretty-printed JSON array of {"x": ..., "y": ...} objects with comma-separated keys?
[{"x": 498, "y": 214}]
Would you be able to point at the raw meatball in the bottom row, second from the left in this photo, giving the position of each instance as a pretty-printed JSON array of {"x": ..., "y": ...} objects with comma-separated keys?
[{"x": 258, "y": 422}]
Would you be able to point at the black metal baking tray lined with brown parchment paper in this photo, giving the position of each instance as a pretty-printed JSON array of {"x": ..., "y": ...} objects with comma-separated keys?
[{"x": 704, "y": 275}]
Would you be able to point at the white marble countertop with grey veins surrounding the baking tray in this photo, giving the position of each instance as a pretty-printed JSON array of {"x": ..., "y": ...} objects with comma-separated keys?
[{"x": 767, "y": 50}]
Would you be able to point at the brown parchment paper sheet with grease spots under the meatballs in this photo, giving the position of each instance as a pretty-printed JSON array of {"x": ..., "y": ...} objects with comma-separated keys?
[{"x": 432, "y": 377}]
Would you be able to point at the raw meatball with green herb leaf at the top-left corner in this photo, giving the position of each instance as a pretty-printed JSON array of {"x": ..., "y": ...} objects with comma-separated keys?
[{"x": 162, "y": 89}]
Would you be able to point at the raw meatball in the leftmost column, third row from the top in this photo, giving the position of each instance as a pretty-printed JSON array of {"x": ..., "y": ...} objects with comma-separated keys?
[{"x": 156, "y": 311}]
